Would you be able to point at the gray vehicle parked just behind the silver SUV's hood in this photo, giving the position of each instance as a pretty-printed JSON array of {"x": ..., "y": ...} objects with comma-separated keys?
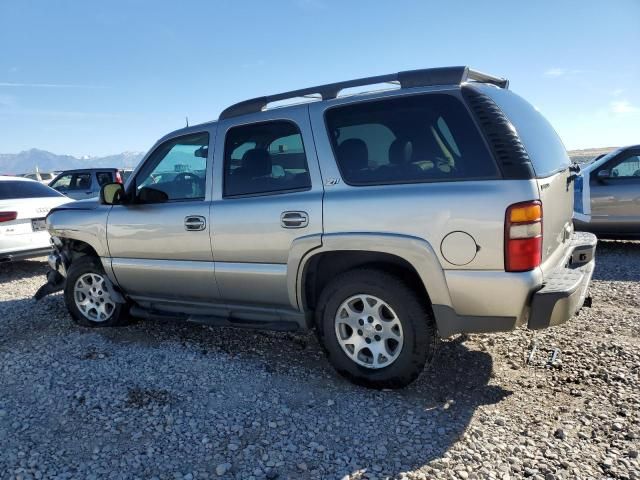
[{"x": 86, "y": 183}]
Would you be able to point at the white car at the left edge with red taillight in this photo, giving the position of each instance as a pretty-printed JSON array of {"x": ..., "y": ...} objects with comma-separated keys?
[{"x": 24, "y": 204}]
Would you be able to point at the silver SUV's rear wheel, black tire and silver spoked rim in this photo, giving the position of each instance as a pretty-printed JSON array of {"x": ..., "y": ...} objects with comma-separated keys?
[{"x": 374, "y": 328}]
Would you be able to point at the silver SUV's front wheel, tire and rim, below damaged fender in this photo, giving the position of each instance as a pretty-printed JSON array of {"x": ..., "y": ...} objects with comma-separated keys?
[{"x": 89, "y": 298}]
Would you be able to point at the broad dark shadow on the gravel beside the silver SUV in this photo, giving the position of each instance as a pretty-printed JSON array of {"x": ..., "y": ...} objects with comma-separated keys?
[{"x": 210, "y": 379}]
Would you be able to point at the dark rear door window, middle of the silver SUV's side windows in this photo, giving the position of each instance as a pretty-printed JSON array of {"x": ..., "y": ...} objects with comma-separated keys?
[{"x": 265, "y": 158}]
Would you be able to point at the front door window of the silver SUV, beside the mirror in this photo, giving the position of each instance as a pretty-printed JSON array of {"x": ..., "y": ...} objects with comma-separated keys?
[{"x": 177, "y": 168}]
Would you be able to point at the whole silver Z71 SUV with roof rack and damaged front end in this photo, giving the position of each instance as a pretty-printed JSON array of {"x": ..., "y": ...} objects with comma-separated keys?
[{"x": 383, "y": 220}]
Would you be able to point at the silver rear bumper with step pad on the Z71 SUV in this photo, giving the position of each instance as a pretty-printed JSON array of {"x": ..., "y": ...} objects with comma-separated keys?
[{"x": 565, "y": 289}]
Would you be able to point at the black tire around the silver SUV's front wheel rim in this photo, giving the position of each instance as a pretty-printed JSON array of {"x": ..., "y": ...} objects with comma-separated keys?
[{"x": 79, "y": 267}]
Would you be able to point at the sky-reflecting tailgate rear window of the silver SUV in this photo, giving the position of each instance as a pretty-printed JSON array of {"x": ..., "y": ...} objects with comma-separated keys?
[{"x": 545, "y": 149}]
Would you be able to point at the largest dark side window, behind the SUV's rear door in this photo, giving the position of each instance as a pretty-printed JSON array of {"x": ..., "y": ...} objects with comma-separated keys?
[{"x": 420, "y": 138}]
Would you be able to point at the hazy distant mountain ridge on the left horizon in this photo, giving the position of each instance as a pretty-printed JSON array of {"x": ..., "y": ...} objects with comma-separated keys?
[{"x": 26, "y": 162}]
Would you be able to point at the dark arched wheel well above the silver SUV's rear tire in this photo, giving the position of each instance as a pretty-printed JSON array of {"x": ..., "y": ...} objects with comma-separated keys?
[{"x": 321, "y": 268}]
